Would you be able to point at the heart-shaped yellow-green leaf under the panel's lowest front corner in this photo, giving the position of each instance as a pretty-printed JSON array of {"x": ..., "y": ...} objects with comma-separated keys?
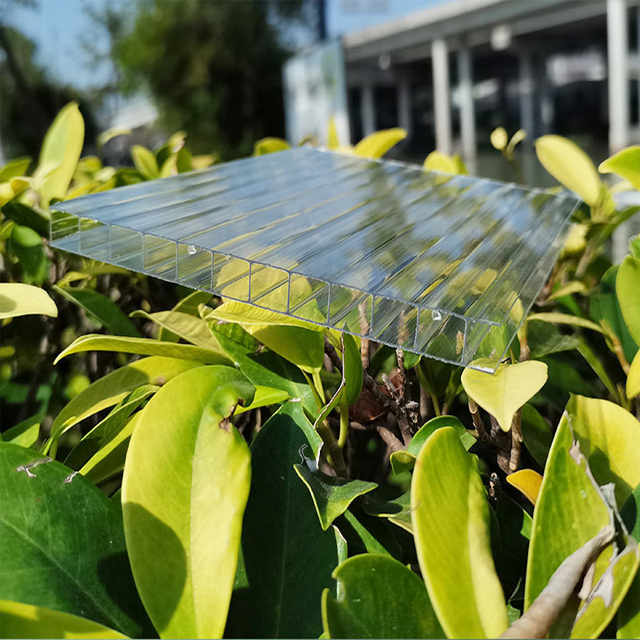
[{"x": 505, "y": 391}]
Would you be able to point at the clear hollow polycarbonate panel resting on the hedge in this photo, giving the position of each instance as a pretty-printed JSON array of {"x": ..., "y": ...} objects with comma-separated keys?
[{"x": 444, "y": 266}]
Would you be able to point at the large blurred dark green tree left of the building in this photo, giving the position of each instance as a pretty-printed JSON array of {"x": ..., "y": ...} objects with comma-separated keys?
[{"x": 214, "y": 69}]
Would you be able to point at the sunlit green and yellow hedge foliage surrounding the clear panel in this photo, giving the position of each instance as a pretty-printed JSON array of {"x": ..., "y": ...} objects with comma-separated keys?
[{"x": 218, "y": 469}]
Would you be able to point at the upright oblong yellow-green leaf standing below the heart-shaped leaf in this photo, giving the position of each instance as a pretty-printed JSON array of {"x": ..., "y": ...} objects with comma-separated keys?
[{"x": 450, "y": 516}]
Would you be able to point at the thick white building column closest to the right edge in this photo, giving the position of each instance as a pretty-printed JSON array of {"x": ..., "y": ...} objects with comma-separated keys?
[{"x": 618, "y": 49}]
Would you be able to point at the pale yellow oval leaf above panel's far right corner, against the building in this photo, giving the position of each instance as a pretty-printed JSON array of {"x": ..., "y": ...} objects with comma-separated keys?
[{"x": 570, "y": 166}]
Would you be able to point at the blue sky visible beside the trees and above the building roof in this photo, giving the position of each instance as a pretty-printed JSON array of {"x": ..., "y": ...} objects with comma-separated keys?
[{"x": 58, "y": 26}]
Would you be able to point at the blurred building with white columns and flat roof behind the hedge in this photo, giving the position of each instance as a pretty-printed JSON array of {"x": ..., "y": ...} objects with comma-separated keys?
[{"x": 449, "y": 74}]
